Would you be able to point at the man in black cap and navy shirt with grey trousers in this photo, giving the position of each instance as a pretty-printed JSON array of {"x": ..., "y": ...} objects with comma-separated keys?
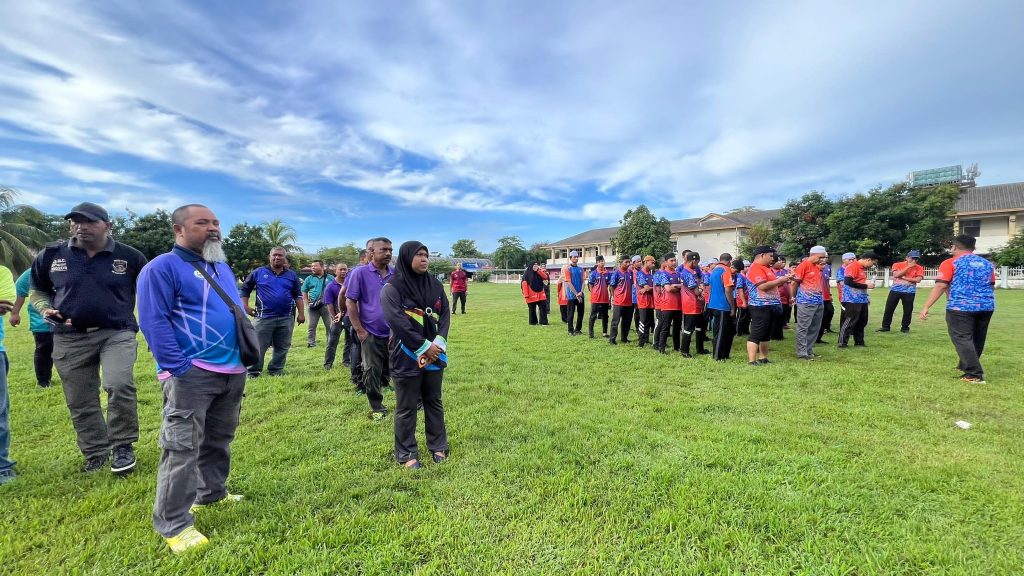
[{"x": 86, "y": 289}]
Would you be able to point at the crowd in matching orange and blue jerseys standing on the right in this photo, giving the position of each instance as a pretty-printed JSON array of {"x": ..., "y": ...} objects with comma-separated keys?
[{"x": 694, "y": 303}]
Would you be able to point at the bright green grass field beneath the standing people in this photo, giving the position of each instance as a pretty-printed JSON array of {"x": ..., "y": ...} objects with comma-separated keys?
[{"x": 571, "y": 457}]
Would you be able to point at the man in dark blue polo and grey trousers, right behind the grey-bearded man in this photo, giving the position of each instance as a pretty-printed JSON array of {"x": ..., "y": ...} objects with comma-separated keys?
[{"x": 279, "y": 305}]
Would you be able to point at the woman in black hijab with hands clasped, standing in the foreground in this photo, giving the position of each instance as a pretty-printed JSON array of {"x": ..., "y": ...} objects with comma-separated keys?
[{"x": 417, "y": 311}]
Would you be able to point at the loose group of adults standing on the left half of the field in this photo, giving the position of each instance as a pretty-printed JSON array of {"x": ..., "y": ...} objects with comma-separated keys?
[{"x": 83, "y": 295}]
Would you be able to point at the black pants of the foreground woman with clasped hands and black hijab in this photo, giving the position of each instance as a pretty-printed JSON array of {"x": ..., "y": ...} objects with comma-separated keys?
[{"x": 408, "y": 392}]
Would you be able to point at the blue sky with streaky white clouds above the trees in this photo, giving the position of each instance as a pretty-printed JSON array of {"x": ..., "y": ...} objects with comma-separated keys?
[{"x": 442, "y": 120}]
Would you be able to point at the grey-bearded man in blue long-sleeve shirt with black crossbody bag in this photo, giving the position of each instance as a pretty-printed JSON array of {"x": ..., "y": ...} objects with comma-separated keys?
[{"x": 193, "y": 337}]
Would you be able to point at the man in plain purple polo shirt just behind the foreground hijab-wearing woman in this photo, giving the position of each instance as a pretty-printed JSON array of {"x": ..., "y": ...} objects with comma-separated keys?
[{"x": 363, "y": 298}]
